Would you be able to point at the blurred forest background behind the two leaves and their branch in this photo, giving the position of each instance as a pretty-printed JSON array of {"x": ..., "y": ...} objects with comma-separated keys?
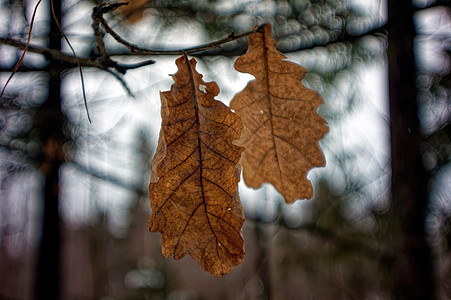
[{"x": 73, "y": 194}]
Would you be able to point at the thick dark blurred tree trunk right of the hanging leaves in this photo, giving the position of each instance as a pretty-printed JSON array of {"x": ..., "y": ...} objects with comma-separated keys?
[{"x": 413, "y": 276}]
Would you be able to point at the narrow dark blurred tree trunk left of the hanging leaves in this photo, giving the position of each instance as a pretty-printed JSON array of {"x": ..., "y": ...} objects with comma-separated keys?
[{"x": 49, "y": 122}]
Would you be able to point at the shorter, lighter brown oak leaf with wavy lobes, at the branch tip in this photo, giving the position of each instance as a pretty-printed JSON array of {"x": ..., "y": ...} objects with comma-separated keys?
[{"x": 281, "y": 126}]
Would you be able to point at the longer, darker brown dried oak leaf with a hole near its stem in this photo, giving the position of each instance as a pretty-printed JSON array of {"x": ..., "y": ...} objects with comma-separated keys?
[{"x": 195, "y": 173}]
